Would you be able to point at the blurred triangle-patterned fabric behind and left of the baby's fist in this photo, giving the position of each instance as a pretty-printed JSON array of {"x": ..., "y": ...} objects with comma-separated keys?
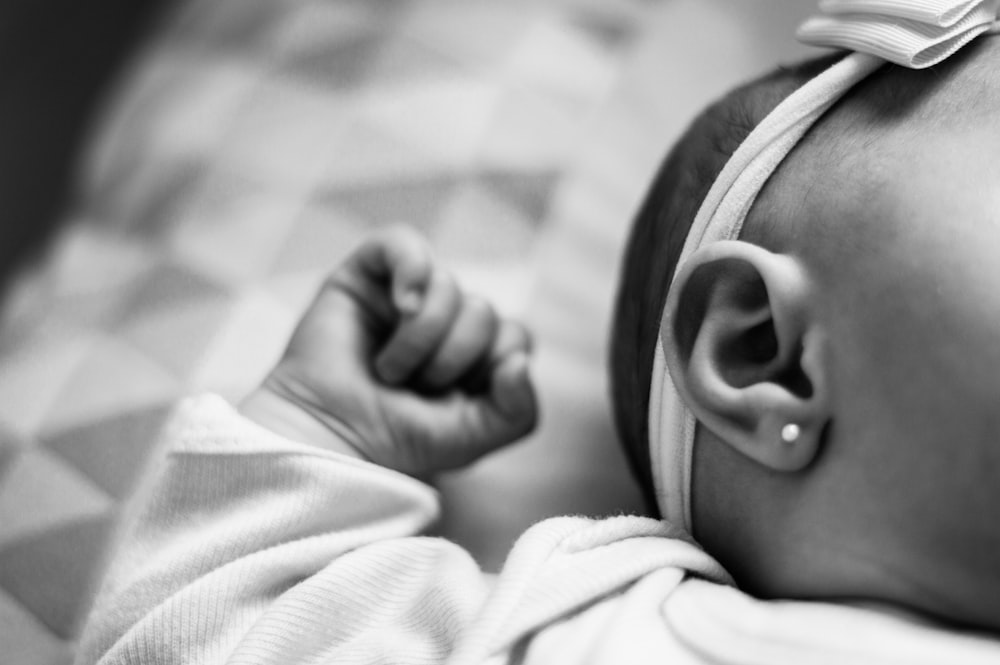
[{"x": 246, "y": 150}]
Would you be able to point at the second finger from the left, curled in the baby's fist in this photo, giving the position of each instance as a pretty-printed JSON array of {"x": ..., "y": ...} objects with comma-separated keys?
[{"x": 418, "y": 335}]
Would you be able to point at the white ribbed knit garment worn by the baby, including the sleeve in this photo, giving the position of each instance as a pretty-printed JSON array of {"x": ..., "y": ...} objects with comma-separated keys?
[{"x": 248, "y": 548}]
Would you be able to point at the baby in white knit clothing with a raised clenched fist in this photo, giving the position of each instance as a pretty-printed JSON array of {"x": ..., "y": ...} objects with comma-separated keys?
[{"x": 819, "y": 322}]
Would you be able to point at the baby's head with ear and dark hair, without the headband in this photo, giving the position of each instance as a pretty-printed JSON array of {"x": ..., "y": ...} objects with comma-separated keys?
[{"x": 862, "y": 305}]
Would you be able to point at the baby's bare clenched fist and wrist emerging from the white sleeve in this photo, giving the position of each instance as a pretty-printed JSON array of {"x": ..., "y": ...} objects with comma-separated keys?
[{"x": 393, "y": 363}]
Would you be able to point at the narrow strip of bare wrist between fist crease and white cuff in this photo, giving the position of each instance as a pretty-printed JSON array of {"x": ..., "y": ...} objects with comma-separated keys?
[{"x": 285, "y": 417}]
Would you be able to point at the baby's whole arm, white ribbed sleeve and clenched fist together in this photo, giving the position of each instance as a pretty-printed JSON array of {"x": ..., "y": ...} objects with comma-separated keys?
[{"x": 268, "y": 537}]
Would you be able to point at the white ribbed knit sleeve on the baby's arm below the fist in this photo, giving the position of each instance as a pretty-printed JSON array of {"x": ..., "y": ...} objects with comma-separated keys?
[{"x": 245, "y": 547}]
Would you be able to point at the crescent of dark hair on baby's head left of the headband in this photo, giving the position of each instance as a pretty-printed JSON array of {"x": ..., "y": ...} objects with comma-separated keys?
[{"x": 657, "y": 238}]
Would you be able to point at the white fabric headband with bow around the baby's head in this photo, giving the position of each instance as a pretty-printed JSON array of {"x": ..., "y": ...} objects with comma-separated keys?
[{"x": 911, "y": 33}]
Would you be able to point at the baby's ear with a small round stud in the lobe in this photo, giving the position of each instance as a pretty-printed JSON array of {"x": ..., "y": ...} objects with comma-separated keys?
[{"x": 746, "y": 353}]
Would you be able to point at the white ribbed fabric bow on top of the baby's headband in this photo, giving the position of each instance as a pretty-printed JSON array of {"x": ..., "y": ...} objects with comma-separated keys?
[{"x": 912, "y": 33}]
